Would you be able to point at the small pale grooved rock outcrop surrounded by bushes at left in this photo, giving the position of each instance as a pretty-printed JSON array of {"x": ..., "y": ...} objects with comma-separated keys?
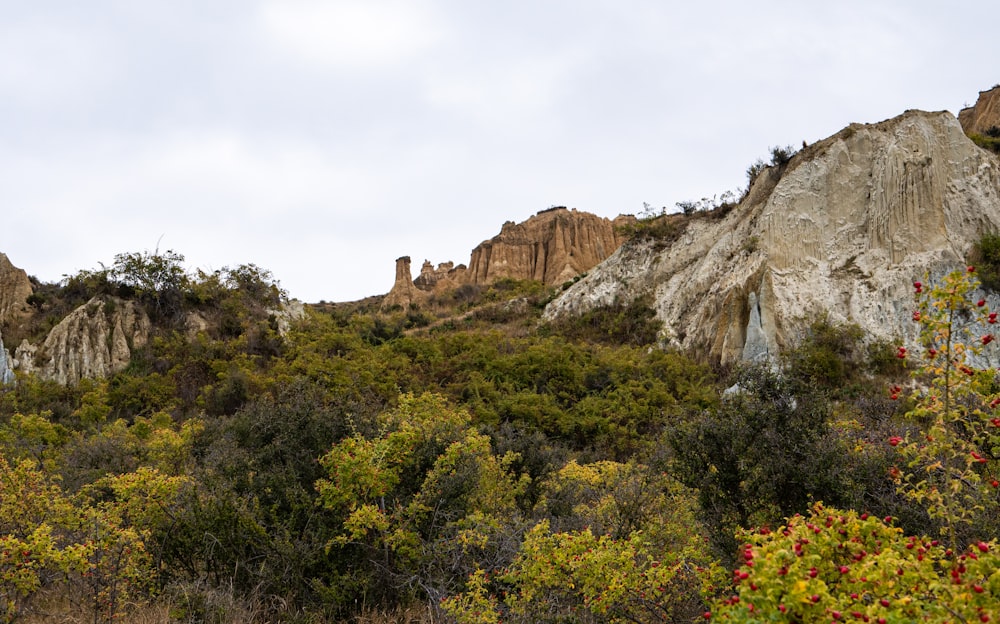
[{"x": 95, "y": 340}]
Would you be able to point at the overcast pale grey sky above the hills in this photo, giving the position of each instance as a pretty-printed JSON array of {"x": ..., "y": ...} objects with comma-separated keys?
[{"x": 321, "y": 140}]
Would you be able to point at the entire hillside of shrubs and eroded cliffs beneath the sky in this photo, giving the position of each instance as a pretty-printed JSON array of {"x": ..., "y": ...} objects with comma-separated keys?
[{"x": 779, "y": 409}]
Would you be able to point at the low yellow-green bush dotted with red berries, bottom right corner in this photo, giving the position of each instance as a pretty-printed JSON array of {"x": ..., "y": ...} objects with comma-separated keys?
[{"x": 839, "y": 566}]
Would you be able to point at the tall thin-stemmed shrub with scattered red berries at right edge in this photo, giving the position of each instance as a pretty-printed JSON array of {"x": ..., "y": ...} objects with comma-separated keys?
[{"x": 952, "y": 459}]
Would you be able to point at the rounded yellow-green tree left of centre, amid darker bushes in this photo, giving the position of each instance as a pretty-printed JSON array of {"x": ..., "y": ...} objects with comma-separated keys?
[{"x": 420, "y": 499}]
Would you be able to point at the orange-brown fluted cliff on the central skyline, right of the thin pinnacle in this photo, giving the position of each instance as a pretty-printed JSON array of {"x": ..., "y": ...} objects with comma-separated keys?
[{"x": 552, "y": 247}]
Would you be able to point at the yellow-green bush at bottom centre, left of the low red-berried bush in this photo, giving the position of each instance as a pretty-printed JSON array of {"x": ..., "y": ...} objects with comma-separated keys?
[{"x": 627, "y": 554}]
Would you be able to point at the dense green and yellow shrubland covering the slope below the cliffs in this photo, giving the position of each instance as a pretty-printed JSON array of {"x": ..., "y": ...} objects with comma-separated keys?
[{"x": 465, "y": 462}]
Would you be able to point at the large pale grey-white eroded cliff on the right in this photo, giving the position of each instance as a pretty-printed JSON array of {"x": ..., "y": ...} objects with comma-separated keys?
[{"x": 842, "y": 230}]
